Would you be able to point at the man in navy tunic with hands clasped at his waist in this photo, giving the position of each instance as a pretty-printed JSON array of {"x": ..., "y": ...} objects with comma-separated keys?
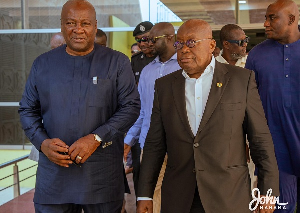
[{"x": 79, "y": 100}]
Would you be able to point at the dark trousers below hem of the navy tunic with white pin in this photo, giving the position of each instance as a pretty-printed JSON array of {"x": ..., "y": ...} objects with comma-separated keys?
[{"x": 111, "y": 207}]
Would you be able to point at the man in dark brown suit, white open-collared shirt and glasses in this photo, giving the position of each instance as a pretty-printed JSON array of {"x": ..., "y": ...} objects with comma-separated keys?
[{"x": 200, "y": 117}]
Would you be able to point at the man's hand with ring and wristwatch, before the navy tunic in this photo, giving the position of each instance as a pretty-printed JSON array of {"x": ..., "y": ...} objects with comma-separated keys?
[{"x": 83, "y": 148}]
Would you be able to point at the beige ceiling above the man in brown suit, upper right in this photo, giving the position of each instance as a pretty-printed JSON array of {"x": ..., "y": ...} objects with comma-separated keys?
[{"x": 220, "y": 12}]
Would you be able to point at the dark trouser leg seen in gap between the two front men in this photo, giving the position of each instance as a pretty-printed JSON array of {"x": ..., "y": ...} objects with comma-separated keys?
[{"x": 136, "y": 156}]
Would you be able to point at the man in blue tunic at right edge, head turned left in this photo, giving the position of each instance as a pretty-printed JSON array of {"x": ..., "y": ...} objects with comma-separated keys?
[{"x": 276, "y": 65}]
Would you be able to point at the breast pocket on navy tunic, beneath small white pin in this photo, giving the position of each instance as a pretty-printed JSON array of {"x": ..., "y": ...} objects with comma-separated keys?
[{"x": 101, "y": 93}]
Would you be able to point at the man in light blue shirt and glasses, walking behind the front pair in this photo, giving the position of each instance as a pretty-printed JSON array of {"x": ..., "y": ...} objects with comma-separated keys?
[{"x": 161, "y": 38}]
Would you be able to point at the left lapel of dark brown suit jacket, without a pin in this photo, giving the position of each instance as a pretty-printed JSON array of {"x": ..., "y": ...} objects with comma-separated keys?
[{"x": 178, "y": 87}]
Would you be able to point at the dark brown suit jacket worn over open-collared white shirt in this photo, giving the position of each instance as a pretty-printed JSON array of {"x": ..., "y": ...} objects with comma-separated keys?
[{"x": 214, "y": 159}]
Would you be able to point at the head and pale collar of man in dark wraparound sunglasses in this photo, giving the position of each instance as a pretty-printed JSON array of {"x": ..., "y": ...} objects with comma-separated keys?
[{"x": 234, "y": 43}]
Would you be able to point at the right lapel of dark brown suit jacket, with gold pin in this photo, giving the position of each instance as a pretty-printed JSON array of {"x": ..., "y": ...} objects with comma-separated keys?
[{"x": 220, "y": 80}]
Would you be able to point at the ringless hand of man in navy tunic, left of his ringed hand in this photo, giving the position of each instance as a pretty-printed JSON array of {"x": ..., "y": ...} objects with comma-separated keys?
[{"x": 52, "y": 148}]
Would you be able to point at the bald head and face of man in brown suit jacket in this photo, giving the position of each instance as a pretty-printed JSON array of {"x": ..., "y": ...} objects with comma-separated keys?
[{"x": 195, "y": 60}]
